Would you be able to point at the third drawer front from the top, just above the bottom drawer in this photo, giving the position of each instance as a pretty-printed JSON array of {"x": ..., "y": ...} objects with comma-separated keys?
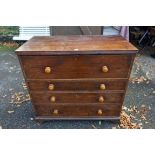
[{"x": 76, "y": 98}]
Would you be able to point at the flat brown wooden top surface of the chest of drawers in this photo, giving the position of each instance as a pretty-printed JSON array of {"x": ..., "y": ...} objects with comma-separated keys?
[{"x": 76, "y": 44}]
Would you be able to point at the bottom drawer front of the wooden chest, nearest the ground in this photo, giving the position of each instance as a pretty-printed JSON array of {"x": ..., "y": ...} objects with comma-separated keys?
[{"x": 76, "y": 110}]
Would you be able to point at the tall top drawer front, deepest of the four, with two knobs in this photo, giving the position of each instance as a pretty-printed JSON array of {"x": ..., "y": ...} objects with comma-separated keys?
[{"x": 76, "y": 66}]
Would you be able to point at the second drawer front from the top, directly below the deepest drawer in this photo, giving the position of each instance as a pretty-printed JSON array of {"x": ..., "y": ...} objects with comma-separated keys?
[{"x": 76, "y": 85}]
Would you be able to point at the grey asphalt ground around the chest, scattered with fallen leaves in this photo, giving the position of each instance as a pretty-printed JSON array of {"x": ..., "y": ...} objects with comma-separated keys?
[{"x": 21, "y": 115}]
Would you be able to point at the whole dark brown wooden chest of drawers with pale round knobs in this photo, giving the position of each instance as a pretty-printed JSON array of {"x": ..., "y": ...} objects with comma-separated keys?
[{"x": 77, "y": 77}]
